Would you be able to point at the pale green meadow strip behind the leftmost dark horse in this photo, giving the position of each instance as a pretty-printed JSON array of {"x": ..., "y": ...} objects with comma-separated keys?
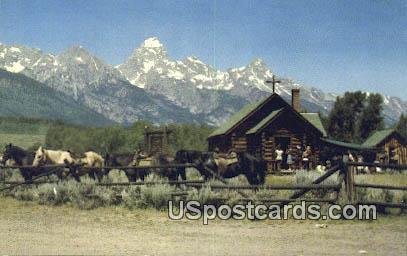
[{"x": 22, "y": 140}]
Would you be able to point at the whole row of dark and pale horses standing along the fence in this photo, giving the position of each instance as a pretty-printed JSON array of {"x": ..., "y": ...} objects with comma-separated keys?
[{"x": 93, "y": 164}]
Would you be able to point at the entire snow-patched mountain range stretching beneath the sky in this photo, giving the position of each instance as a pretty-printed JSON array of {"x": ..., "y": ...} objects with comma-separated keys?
[{"x": 150, "y": 85}]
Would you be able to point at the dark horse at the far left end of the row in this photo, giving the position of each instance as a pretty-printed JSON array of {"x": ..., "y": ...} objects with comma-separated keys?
[{"x": 22, "y": 158}]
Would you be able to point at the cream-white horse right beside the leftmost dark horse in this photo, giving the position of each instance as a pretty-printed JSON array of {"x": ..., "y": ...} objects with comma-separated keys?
[{"x": 45, "y": 156}]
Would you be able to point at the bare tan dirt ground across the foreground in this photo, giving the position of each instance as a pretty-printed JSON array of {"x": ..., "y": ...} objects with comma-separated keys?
[{"x": 28, "y": 228}]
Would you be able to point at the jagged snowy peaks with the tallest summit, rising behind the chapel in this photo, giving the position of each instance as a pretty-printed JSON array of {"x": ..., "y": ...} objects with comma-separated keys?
[{"x": 192, "y": 84}]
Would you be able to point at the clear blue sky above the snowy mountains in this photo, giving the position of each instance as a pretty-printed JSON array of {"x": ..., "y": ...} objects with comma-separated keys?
[{"x": 333, "y": 45}]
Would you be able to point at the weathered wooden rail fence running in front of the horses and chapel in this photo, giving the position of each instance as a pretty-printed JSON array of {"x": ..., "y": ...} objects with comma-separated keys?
[{"x": 345, "y": 180}]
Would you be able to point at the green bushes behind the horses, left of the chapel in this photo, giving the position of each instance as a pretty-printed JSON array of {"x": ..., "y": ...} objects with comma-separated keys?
[{"x": 119, "y": 139}]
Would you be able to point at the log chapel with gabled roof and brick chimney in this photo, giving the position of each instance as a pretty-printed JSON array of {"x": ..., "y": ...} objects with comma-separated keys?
[{"x": 261, "y": 128}]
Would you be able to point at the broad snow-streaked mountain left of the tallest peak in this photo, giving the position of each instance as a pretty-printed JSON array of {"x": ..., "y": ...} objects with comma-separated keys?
[{"x": 93, "y": 83}]
